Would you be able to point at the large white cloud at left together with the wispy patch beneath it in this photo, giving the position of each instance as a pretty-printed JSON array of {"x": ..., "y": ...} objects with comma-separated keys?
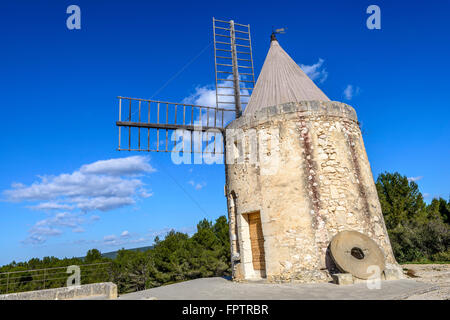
[{"x": 103, "y": 185}]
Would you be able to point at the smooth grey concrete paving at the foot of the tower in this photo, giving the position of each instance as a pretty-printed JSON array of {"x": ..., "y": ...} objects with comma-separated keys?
[{"x": 223, "y": 289}]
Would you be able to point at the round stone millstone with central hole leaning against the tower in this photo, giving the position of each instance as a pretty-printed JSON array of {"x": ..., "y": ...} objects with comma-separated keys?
[{"x": 356, "y": 253}]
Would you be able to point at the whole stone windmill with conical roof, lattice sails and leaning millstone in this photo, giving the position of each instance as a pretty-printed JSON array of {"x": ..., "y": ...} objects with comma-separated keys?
[{"x": 302, "y": 203}]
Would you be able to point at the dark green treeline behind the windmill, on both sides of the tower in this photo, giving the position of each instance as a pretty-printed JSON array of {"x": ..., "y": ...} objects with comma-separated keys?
[{"x": 418, "y": 233}]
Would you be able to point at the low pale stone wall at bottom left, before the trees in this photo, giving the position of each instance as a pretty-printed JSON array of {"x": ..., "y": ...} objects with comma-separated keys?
[{"x": 104, "y": 289}]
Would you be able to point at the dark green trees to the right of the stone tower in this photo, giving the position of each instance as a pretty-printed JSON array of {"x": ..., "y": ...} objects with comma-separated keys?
[{"x": 417, "y": 232}]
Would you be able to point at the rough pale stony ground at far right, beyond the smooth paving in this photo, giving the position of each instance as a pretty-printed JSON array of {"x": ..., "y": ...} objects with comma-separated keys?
[{"x": 435, "y": 274}]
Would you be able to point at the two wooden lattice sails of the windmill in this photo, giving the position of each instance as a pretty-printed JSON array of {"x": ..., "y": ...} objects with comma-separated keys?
[{"x": 161, "y": 126}]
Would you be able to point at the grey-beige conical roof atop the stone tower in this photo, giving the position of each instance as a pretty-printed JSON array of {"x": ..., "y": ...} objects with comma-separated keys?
[{"x": 281, "y": 80}]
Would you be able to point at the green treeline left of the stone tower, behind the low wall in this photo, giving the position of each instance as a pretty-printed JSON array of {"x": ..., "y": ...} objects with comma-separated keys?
[{"x": 176, "y": 258}]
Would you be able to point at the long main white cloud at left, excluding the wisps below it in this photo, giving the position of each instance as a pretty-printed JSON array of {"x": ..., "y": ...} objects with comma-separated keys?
[{"x": 102, "y": 185}]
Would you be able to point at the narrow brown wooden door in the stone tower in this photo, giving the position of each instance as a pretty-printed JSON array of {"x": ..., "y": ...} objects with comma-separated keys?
[{"x": 257, "y": 241}]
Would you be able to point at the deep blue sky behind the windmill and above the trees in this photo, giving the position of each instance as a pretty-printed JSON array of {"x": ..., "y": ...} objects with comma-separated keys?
[{"x": 59, "y": 106}]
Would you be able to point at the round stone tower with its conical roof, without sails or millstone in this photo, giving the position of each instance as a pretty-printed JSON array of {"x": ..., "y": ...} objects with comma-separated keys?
[{"x": 297, "y": 174}]
